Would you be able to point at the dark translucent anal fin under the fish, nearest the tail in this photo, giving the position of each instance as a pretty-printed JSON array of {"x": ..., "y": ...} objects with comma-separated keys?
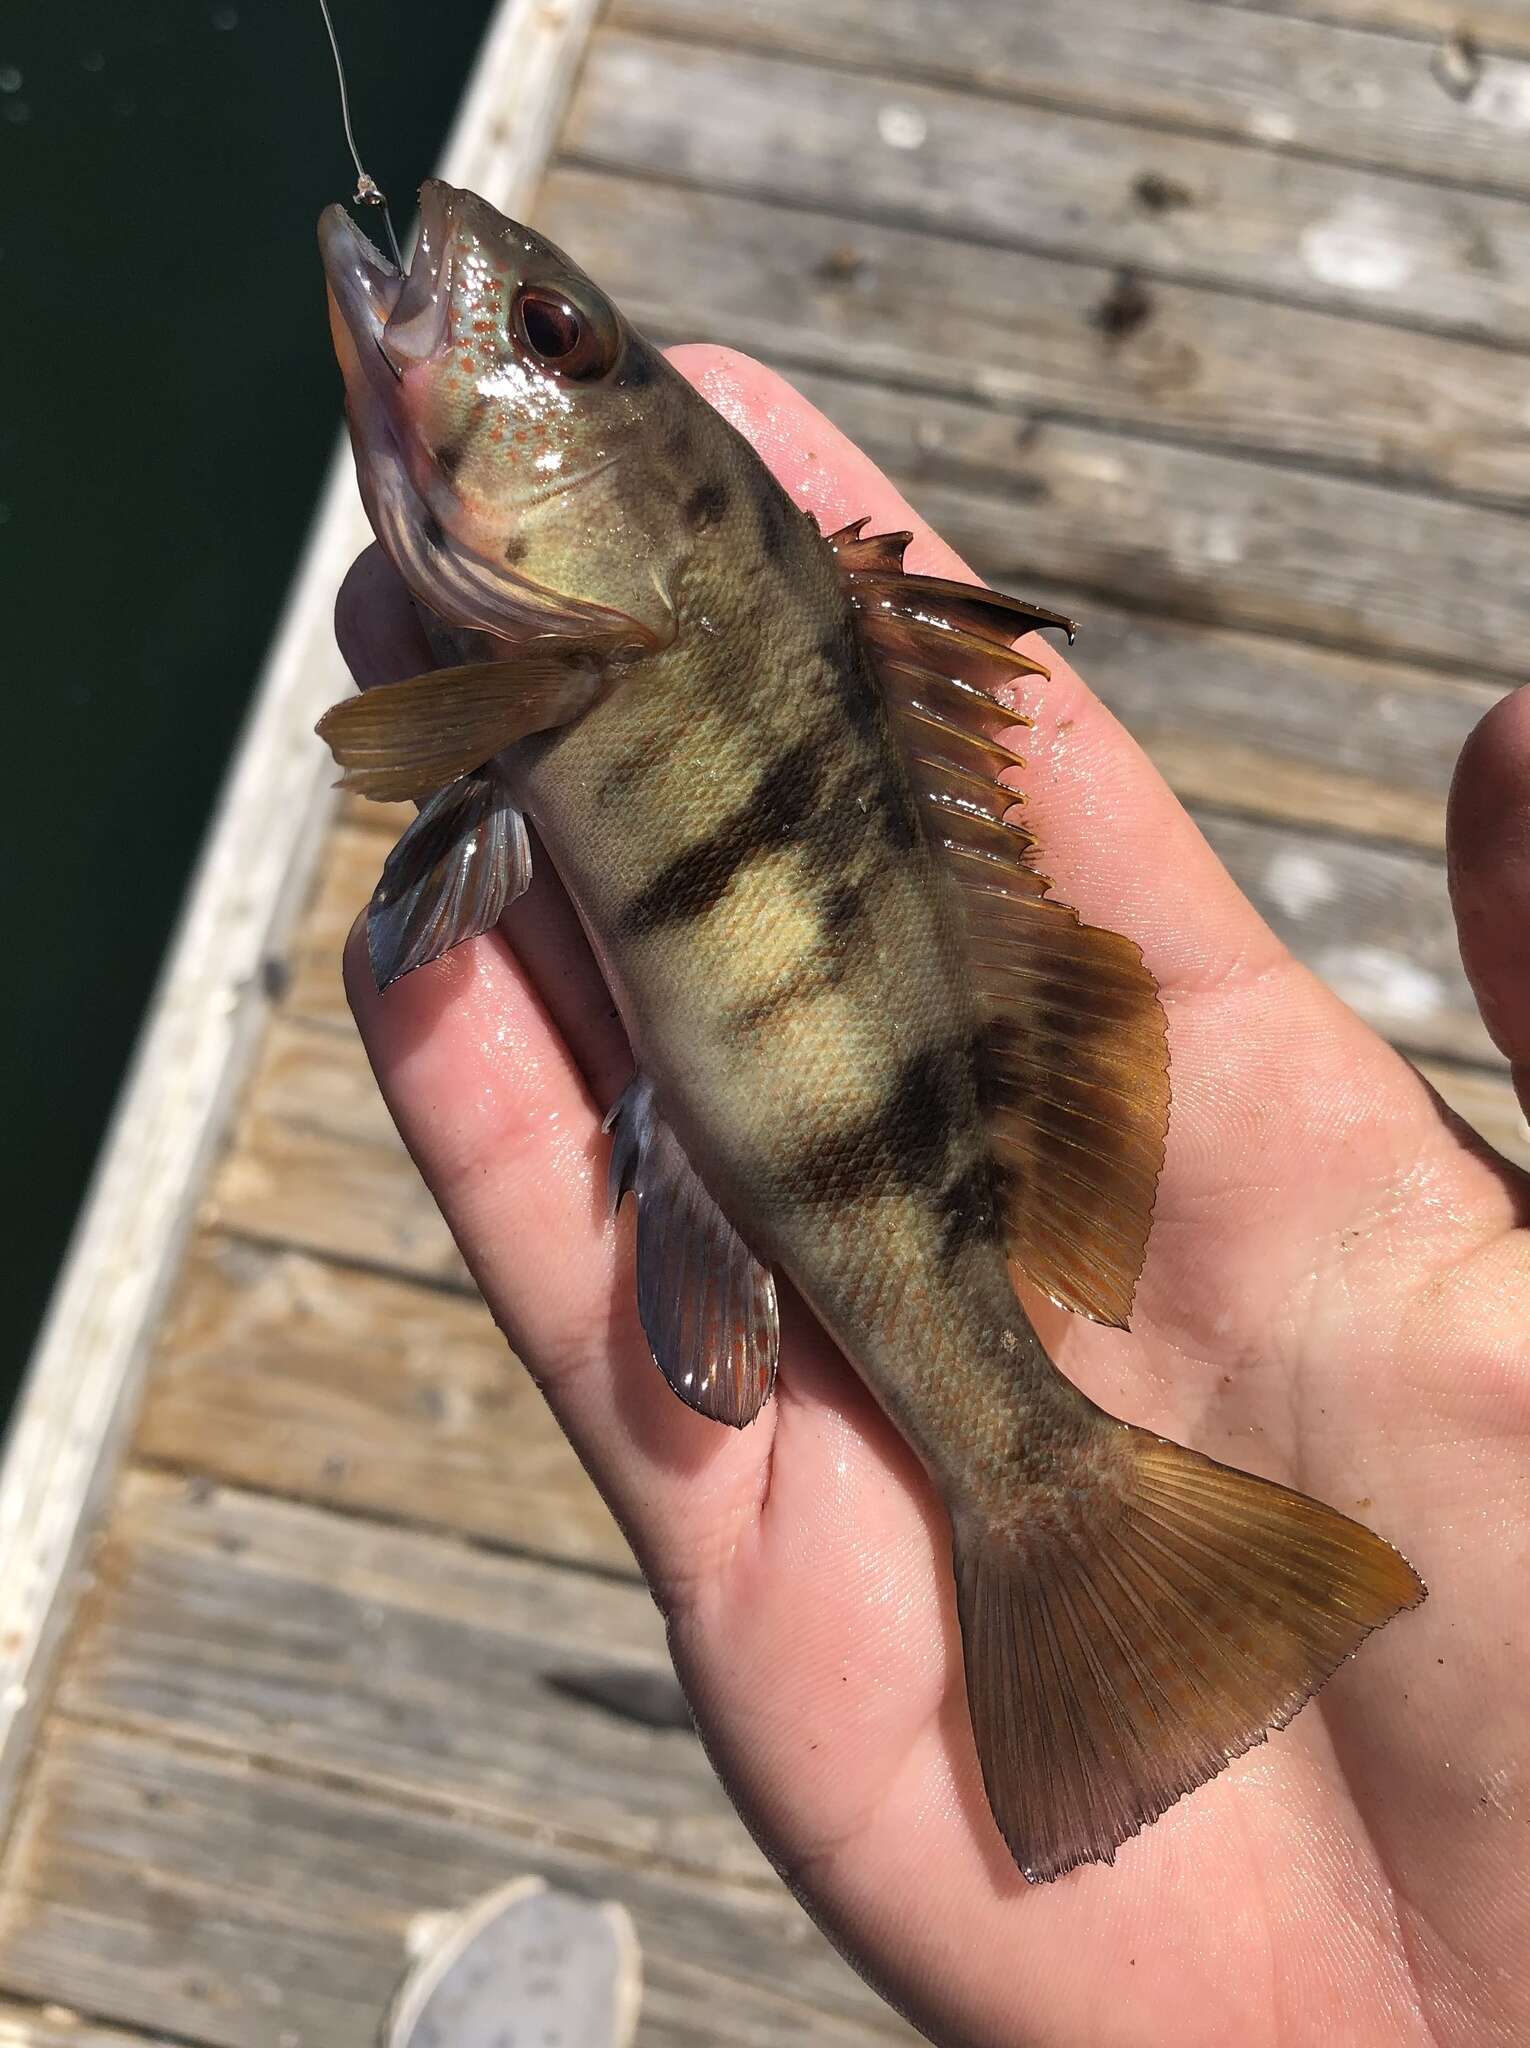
[{"x": 708, "y": 1306}]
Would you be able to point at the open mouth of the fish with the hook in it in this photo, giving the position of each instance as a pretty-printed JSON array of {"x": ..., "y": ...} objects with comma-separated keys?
[{"x": 396, "y": 318}]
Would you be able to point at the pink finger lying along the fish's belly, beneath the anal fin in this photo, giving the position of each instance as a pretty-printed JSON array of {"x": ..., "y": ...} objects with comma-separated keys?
[{"x": 497, "y": 1115}]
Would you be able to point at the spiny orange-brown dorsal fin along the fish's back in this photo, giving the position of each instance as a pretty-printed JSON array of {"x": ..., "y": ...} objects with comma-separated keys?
[{"x": 1076, "y": 1037}]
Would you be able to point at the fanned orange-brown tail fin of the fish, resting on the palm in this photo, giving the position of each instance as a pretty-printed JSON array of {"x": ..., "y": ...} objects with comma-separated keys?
[{"x": 1121, "y": 1656}]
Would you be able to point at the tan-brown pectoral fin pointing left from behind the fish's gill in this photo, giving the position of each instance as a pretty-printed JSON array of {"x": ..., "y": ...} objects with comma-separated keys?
[{"x": 413, "y": 738}]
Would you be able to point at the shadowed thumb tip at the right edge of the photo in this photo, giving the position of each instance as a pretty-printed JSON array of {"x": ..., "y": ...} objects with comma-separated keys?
[{"x": 1488, "y": 841}]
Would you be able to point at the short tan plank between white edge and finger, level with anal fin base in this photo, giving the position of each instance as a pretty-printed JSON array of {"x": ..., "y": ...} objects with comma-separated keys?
[{"x": 316, "y": 1162}]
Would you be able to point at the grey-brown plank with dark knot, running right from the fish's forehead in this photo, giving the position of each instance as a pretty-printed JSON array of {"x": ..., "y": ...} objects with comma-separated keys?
[{"x": 1046, "y": 335}]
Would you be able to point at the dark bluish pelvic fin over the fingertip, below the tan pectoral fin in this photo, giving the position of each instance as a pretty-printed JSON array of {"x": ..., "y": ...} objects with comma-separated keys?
[{"x": 450, "y": 878}]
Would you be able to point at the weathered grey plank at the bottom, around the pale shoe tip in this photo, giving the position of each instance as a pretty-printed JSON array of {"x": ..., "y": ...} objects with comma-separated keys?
[{"x": 251, "y": 1910}]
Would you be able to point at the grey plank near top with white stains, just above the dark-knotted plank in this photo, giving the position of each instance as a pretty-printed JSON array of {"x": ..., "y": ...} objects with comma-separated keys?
[{"x": 886, "y": 148}]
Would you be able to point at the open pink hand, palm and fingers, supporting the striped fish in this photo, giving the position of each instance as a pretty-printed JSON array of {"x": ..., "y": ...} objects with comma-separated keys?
[{"x": 1336, "y": 1295}]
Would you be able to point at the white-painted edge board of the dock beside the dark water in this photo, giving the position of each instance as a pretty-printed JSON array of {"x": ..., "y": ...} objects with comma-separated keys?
[{"x": 87, "y": 1369}]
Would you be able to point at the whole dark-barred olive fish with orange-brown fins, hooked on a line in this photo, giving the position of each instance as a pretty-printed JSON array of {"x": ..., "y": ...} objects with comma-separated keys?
[{"x": 876, "y": 1056}]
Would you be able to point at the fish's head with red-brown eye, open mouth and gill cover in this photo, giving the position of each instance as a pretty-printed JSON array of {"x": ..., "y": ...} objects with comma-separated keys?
[{"x": 501, "y": 411}]
